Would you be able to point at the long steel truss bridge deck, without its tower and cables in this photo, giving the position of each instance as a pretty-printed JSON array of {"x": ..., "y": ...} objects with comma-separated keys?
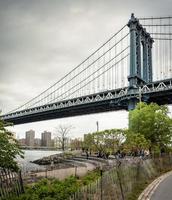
[{"x": 159, "y": 92}]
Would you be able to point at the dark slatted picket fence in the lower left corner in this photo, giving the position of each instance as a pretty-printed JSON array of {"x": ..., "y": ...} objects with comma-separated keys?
[{"x": 10, "y": 183}]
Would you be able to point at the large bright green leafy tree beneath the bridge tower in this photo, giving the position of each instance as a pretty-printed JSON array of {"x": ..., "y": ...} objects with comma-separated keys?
[{"x": 153, "y": 122}]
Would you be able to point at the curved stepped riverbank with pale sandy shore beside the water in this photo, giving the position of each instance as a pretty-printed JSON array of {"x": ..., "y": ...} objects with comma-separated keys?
[{"x": 64, "y": 165}]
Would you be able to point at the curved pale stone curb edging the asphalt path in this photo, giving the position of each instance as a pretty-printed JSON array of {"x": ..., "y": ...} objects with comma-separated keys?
[{"x": 148, "y": 192}]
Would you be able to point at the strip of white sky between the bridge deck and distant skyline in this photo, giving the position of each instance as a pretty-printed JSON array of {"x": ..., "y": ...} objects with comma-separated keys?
[{"x": 80, "y": 125}]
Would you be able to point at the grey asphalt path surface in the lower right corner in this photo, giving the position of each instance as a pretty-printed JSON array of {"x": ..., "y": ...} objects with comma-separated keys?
[{"x": 164, "y": 190}]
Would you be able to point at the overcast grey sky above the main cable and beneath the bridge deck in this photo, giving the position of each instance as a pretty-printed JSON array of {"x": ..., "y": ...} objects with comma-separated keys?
[{"x": 42, "y": 40}]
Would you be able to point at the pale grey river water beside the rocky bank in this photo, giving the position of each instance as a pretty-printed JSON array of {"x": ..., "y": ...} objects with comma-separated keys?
[{"x": 31, "y": 155}]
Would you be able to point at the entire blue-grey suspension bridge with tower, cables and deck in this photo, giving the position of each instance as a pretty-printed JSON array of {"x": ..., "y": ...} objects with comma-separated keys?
[{"x": 134, "y": 65}]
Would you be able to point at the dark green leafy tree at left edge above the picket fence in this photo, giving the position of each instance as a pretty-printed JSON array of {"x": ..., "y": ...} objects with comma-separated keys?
[{"x": 9, "y": 148}]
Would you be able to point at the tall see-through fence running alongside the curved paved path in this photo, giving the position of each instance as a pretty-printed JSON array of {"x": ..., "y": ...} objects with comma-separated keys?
[{"x": 120, "y": 182}]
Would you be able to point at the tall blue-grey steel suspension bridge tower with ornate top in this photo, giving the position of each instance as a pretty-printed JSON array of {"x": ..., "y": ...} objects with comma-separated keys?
[{"x": 140, "y": 59}]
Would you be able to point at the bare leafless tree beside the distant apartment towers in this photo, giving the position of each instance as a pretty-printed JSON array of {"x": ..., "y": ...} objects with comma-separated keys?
[{"x": 62, "y": 135}]
